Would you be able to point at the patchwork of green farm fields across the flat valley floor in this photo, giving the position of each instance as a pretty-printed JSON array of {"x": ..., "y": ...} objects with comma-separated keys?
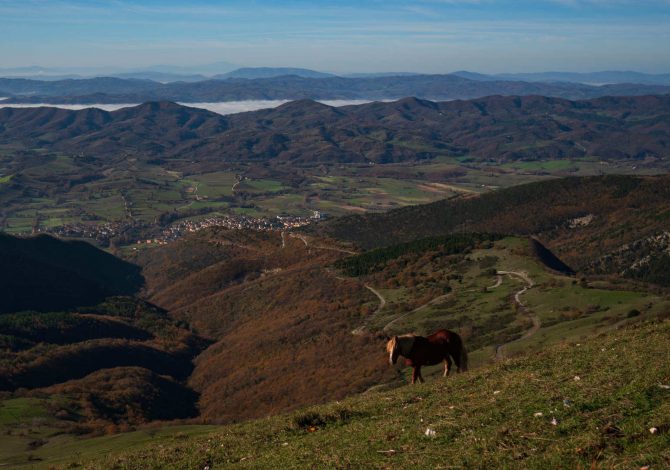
[{"x": 64, "y": 190}]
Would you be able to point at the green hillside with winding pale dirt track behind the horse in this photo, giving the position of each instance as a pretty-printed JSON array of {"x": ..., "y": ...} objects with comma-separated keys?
[{"x": 499, "y": 295}]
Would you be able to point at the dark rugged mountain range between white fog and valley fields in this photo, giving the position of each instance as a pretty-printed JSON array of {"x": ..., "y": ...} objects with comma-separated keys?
[{"x": 306, "y": 132}]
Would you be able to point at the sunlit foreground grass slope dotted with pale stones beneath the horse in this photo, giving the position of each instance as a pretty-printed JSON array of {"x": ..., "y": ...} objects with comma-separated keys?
[{"x": 583, "y": 404}]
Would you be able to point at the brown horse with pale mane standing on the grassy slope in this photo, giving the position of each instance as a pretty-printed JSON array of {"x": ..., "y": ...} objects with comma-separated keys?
[{"x": 419, "y": 351}]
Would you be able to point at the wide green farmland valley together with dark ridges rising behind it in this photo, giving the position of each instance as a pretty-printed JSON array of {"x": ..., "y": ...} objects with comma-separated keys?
[{"x": 118, "y": 178}]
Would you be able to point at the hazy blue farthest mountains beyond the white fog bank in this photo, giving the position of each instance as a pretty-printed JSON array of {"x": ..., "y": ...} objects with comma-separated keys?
[{"x": 294, "y": 87}]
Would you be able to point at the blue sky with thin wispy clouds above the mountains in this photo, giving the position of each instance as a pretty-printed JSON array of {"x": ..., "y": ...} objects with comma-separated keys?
[{"x": 431, "y": 36}]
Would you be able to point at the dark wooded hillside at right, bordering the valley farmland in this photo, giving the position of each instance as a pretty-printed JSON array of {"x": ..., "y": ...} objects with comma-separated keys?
[{"x": 583, "y": 220}]
